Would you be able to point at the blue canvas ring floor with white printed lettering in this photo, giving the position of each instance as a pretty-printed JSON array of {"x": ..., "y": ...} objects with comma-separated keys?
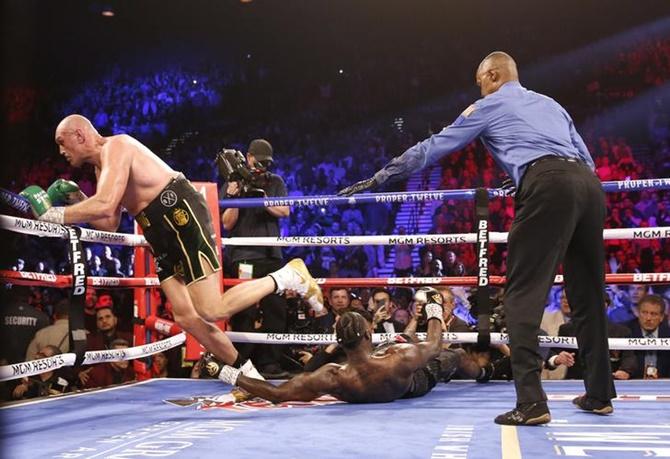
[{"x": 453, "y": 421}]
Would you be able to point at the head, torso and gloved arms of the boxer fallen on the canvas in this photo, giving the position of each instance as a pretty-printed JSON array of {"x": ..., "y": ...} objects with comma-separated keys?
[{"x": 369, "y": 375}]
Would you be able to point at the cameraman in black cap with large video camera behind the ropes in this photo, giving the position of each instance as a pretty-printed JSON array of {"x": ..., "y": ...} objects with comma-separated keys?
[{"x": 254, "y": 179}]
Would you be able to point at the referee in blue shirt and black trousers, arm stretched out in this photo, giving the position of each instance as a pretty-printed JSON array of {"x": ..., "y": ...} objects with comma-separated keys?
[{"x": 559, "y": 216}]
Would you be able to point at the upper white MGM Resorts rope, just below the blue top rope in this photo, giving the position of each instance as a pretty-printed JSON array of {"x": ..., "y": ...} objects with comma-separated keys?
[{"x": 43, "y": 229}]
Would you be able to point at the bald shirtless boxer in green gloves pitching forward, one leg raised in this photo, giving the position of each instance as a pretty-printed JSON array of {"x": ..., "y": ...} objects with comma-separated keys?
[{"x": 176, "y": 222}]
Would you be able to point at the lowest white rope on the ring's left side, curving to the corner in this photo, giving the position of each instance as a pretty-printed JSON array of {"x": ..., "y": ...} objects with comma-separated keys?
[{"x": 35, "y": 367}]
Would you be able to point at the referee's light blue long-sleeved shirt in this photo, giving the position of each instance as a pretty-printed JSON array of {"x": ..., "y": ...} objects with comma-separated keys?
[{"x": 516, "y": 125}]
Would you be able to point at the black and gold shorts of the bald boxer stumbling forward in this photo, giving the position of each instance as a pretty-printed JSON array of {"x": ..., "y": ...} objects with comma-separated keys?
[{"x": 178, "y": 226}]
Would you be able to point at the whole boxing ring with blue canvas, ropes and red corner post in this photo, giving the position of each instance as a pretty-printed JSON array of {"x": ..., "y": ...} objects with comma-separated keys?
[{"x": 199, "y": 418}]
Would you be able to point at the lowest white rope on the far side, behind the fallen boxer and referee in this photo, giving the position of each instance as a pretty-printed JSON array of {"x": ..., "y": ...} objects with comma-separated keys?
[{"x": 567, "y": 342}]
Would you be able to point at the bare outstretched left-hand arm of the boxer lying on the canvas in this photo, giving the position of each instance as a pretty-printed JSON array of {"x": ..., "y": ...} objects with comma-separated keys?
[{"x": 304, "y": 387}]
